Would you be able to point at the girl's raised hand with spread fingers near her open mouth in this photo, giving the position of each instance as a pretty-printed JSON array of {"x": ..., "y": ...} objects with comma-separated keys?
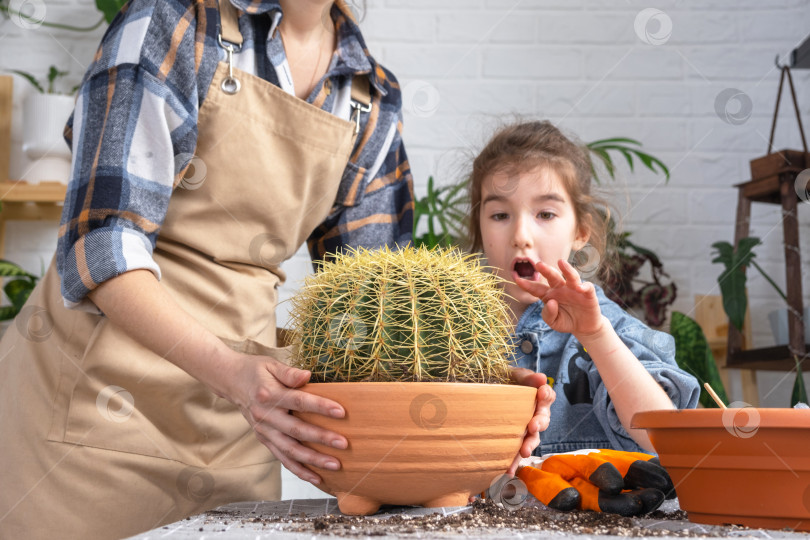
[{"x": 570, "y": 306}]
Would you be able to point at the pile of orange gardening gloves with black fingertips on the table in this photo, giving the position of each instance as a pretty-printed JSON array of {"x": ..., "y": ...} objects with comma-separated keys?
[{"x": 624, "y": 483}]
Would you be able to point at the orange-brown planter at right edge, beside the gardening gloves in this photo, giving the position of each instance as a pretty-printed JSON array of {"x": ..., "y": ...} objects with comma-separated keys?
[{"x": 745, "y": 466}]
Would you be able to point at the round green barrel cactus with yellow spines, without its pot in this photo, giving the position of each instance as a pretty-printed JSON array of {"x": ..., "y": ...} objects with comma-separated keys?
[{"x": 402, "y": 315}]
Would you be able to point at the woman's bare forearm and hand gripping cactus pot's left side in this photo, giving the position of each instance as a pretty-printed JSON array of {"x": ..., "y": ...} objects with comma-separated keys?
[{"x": 263, "y": 387}]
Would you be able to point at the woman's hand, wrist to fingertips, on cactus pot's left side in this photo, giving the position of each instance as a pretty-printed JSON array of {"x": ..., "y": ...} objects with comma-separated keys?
[{"x": 265, "y": 390}]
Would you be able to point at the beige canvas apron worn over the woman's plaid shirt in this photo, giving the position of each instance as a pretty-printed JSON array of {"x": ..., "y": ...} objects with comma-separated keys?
[{"x": 99, "y": 437}]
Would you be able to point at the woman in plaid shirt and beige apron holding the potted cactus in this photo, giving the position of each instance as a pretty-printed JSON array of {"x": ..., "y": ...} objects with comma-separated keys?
[{"x": 205, "y": 154}]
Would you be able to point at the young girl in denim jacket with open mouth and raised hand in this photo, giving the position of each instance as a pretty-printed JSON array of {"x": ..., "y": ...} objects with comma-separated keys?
[{"x": 531, "y": 211}]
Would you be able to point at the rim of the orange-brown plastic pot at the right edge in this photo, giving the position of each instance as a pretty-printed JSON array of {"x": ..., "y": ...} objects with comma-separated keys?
[{"x": 715, "y": 418}]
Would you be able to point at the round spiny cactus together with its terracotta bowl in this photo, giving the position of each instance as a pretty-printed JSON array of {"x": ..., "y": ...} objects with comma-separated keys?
[{"x": 414, "y": 344}]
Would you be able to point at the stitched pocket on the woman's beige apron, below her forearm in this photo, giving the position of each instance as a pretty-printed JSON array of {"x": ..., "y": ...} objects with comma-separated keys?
[{"x": 130, "y": 400}]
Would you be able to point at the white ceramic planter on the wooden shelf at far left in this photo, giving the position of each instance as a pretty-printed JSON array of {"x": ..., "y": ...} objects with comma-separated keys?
[{"x": 44, "y": 118}]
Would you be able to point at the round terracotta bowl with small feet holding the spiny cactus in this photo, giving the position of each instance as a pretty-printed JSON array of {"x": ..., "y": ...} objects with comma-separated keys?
[{"x": 426, "y": 444}]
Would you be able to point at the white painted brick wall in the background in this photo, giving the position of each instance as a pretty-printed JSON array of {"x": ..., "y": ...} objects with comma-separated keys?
[{"x": 579, "y": 63}]
